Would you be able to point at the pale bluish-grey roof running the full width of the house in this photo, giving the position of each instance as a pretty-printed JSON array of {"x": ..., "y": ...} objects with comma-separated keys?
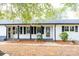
[{"x": 66, "y": 21}]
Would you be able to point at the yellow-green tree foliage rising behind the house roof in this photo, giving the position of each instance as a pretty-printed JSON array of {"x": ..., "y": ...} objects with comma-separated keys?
[{"x": 27, "y": 11}]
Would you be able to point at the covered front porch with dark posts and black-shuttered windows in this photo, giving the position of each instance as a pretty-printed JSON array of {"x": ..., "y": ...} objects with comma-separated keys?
[{"x": 30, "y": 32}]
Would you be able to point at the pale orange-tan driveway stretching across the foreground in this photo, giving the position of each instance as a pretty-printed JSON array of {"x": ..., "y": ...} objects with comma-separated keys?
[{"x": 46, "y": 49}]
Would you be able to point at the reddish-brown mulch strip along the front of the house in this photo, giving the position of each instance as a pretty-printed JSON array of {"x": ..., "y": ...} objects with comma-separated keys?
[{"x": 40, "y": 42}]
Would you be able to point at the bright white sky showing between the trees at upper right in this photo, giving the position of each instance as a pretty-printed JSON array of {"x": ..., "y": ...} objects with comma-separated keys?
[{"x": 69, "y": 13}]
